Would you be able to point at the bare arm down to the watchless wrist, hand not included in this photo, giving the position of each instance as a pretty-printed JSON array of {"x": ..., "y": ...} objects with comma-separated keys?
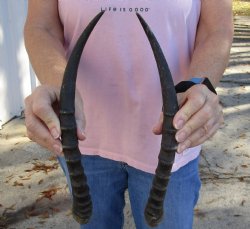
[{"x": 43, "y": 34}]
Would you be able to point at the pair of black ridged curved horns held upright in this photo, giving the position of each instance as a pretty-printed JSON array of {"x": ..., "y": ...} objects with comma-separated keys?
[{"x": 82, "y": 205}]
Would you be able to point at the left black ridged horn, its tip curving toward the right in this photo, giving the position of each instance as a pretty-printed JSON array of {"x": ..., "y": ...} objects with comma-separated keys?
[{"x": 82, "y": 204}]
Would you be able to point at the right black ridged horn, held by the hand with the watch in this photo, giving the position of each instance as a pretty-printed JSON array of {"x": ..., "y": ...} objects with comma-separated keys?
[{"x": 154, "y": 208}]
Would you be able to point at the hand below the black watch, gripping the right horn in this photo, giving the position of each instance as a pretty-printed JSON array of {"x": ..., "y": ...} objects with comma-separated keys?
[{"x": 198, "y": 119}]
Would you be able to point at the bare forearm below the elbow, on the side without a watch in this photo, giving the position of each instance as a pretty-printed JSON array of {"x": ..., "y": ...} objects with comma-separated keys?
[{"x": 47, "y": 55}]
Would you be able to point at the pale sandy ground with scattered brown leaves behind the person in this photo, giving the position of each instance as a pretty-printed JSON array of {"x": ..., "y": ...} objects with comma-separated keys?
[{"x": 33, "y": 191}]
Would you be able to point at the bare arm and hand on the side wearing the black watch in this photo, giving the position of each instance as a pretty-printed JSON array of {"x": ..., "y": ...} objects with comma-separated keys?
[{"x": 200, "y": 113}]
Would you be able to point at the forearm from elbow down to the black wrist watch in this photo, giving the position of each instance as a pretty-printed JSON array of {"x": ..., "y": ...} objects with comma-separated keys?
[{"x": 210, "y": 57}]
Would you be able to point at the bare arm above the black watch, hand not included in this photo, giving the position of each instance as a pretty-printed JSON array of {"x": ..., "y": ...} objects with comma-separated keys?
[{"x": 213, "y": 40}]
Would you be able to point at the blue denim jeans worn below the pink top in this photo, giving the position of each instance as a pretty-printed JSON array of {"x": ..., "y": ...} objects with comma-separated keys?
[{"x": 109, "y": 179}]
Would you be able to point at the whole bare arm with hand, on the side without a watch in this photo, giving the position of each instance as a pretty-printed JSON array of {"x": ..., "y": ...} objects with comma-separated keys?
[{"x": 44, "y": 41}]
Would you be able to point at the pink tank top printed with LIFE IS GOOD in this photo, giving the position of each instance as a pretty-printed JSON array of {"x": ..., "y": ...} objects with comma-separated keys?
[{"x": 118, "y": 77}]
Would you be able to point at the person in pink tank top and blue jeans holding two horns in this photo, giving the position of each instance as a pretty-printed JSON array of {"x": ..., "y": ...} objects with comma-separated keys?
[{"x": 119, "y": 96}]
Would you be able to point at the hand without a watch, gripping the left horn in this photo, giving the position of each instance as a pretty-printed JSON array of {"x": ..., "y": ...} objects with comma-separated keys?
[{"x": 41, "y": 118}]
